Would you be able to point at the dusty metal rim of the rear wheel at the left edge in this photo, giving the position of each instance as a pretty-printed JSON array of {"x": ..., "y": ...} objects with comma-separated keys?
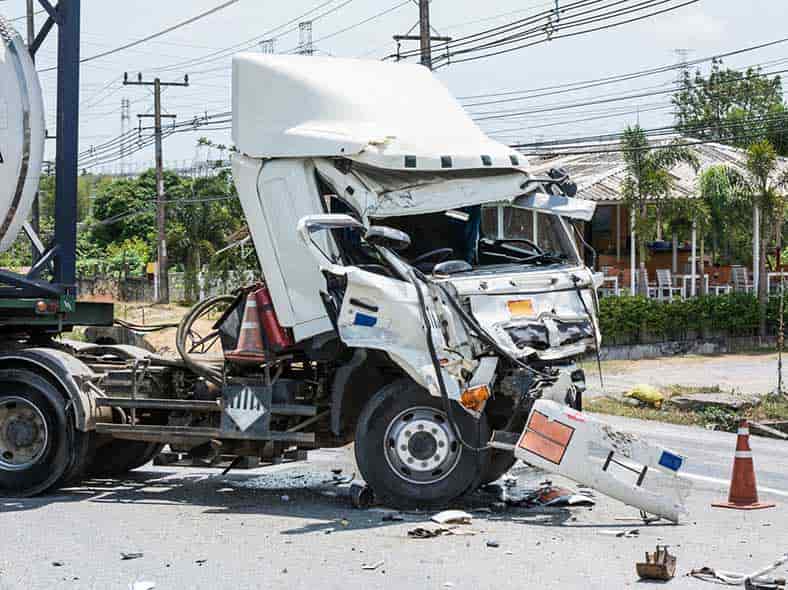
[{"x": 23, "y": 434}]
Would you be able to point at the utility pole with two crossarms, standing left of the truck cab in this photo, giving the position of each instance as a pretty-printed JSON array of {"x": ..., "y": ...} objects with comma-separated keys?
[{"x": 163, "y": 291}]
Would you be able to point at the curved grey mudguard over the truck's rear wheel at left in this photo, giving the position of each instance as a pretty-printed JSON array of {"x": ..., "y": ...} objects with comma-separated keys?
[{"x": 68, "y": 373}]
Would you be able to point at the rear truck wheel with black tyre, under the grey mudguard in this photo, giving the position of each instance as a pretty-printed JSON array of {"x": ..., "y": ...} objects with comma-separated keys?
[{"x": 39, "y": 446}]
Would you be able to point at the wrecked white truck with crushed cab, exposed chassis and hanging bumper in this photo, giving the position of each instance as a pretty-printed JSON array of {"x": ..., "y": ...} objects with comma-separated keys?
[{"x": 424, "y": 298}]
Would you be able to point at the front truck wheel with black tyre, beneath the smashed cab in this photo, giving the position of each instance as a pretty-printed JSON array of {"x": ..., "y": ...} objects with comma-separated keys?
[{"x": 408, "y": 453}]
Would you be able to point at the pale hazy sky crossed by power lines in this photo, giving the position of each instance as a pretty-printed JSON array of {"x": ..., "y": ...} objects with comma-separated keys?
[{"x": 706, "y": 28}]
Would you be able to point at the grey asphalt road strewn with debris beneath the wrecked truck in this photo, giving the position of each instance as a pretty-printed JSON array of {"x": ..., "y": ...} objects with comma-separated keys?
[{"x": 290, "y": 527}]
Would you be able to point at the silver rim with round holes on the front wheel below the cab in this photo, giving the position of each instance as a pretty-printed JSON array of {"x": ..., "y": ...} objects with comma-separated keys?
[{"x": 420, "y": 446}]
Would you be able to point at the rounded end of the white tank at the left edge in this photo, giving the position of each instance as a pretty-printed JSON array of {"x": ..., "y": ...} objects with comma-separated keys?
[{"x": 22, "y": 133}]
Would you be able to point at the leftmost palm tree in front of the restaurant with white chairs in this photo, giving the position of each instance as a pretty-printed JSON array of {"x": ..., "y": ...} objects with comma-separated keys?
[{"x": 648, "y": 180}]
